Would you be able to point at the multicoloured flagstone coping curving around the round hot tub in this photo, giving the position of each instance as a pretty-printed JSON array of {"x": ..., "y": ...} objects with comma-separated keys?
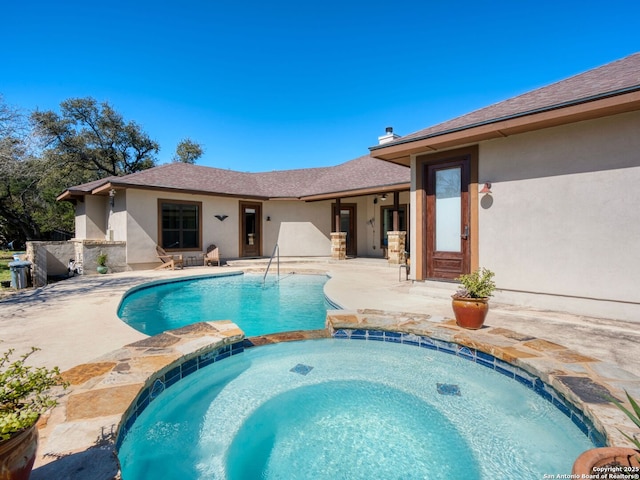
[{"x": 108, "y": 391}]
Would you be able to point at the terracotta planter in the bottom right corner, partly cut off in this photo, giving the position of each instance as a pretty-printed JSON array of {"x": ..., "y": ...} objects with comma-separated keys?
[{"x": 628, "y": 459}]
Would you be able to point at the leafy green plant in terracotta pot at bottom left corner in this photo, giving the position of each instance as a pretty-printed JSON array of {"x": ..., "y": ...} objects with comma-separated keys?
[{"x": 24, "y": 396}]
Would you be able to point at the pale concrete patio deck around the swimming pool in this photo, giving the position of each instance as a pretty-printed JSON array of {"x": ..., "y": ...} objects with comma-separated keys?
[{"x": 74, "y": 322}]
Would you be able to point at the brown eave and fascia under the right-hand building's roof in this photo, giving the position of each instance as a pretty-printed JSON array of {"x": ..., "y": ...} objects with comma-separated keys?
[{"x": 586, "y": 109}]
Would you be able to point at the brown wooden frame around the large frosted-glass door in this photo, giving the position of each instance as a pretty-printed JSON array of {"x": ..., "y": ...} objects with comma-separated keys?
[{"x": 423, "y": 234}]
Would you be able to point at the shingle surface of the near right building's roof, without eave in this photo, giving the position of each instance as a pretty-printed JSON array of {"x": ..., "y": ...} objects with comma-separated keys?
[{"x": 614, "y": 78}]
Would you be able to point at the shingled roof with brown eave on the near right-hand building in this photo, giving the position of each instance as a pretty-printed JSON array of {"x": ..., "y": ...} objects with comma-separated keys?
[{"x": 610, "y": 89}]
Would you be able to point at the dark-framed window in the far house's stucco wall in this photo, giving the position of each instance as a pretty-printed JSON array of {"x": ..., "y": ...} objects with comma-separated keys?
[{"x": 180, "y": 224}]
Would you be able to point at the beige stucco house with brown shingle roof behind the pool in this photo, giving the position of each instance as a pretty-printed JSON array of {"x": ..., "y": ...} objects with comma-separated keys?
[{"x": 184, "y": 208}]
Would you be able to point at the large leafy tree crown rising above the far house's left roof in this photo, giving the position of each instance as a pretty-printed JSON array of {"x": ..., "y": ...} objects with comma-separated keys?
[{"x": 93, "y": 138}]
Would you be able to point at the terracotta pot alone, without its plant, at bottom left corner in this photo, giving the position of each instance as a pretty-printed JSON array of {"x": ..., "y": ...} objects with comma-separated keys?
[{"x": 18, "y": 454}]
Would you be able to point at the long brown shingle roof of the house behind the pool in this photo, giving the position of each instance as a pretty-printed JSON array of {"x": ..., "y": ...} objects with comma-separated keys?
[{"x": 354, "y": 177}]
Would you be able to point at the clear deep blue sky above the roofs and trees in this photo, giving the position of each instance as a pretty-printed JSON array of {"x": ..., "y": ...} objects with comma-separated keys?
[{"x": 295, "y": 84}]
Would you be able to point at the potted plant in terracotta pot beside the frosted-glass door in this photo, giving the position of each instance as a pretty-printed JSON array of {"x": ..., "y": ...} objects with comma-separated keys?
[{"x": 471, "y": 301}]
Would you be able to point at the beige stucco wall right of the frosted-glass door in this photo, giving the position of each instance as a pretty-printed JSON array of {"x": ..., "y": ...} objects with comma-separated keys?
[{"x": 561, "y": 228}]
